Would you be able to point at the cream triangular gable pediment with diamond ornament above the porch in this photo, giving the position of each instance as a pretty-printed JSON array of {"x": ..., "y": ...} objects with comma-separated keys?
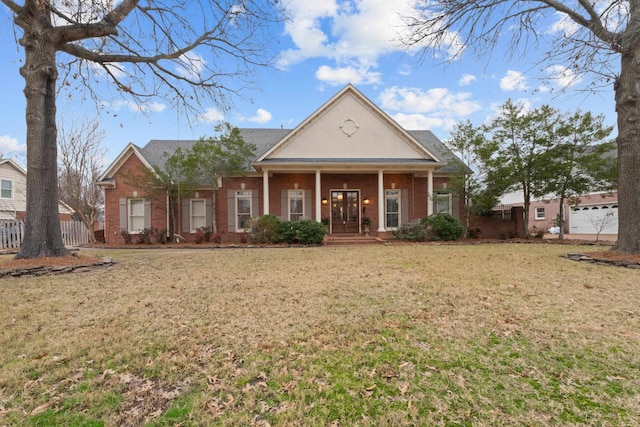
[{"x": 349, "y": 126}]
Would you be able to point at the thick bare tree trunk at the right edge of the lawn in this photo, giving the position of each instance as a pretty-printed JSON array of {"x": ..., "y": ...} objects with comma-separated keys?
[{"x": 627, "y": 89}]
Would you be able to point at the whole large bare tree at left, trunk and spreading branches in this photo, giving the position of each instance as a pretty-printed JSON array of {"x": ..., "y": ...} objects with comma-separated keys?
[{"x": 188, "y": 51}]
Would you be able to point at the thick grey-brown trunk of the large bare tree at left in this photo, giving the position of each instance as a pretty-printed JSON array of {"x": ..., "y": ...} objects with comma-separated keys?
[{"x": 43, "y": 237}]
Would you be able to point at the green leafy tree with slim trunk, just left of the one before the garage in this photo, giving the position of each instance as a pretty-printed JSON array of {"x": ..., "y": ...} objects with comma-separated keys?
[{"x": 521, "y": 156}]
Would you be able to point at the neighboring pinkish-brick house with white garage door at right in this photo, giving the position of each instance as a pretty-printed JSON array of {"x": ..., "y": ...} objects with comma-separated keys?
[{"x": 593, "y": 214}]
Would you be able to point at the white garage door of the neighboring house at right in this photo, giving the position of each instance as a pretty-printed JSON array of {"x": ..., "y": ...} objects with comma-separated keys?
[{"x": 594, "y": 219}]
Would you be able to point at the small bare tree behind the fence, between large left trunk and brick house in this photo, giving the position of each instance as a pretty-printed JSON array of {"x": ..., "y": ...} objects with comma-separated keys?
[{"x": 80, "y": 157}]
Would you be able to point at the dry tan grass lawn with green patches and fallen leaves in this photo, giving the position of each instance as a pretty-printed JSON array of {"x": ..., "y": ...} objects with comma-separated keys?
[{"x": 491, "y": 334}]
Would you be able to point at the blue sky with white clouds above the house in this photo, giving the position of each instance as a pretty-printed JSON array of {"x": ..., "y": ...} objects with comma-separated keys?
[{"x": 322, "y": 47}]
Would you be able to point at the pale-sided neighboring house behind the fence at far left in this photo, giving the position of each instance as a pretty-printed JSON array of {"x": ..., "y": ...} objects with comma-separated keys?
[{"x": 13, "y": 193}]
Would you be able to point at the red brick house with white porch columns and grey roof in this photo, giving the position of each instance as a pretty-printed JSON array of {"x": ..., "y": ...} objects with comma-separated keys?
[{"x": 346, "y": 161}]
